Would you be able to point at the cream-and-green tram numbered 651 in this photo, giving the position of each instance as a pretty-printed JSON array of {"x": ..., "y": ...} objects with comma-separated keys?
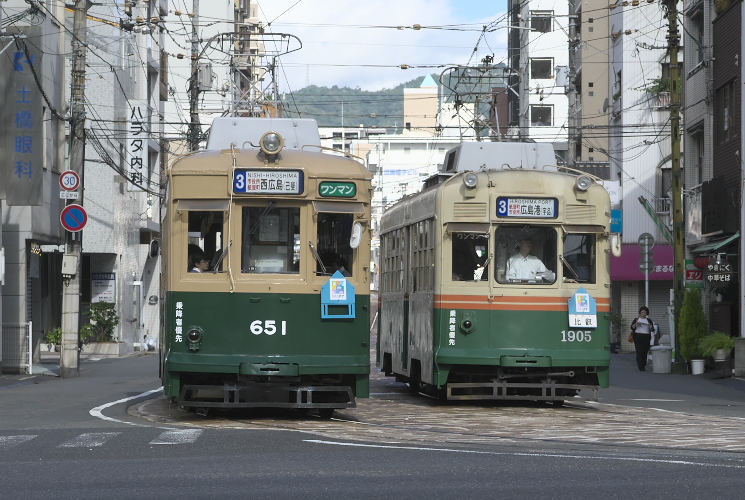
[{"x": 266, "y": 255}]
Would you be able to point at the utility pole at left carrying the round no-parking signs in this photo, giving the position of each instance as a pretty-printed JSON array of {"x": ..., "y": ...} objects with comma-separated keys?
[{"x": 70, "y": 355}]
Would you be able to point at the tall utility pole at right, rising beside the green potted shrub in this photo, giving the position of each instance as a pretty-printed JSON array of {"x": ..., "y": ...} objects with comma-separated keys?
[{"x": 678, "y": 235}]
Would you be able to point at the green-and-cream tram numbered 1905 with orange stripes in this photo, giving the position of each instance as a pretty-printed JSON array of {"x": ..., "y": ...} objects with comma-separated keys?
[{"x": 494, "y": 280}]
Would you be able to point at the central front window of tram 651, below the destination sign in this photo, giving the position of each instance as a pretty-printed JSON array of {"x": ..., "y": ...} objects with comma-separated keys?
[{"x": 270, "y": 240}]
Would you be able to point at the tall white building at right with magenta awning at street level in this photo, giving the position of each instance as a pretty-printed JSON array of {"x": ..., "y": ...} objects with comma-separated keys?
[{"x": 640, "y": 153}]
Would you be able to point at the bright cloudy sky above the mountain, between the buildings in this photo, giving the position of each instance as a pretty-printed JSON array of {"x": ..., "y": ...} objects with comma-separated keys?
[{"x": 348, "y": 43}]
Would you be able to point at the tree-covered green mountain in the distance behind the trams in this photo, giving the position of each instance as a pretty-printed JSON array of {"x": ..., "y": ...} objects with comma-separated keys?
[{"x": 382, "y": 108}]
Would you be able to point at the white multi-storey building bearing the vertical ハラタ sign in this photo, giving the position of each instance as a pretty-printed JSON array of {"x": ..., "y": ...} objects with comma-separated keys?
[{"x": 123, "y": 167}]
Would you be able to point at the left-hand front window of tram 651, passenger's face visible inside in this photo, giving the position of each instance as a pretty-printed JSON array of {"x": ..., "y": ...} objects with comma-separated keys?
[{"x": 205, "y": 241}]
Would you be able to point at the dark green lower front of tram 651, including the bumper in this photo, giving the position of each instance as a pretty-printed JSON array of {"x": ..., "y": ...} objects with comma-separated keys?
[{"x": 264, "y": 350}]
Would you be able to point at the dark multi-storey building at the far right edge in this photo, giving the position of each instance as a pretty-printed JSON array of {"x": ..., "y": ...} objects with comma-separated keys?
[{"x": 714, "y": 128}]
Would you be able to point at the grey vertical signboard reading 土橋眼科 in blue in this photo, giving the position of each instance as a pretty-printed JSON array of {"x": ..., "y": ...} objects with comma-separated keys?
[{"x": 21, "y": 145}]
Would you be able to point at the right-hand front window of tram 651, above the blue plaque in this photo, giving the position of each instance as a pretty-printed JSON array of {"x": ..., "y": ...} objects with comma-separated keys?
[{"x": 334, "y": 233}]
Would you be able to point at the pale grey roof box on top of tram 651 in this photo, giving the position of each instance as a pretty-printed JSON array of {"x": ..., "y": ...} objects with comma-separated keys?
[{"x": 246, "y": 132}]
